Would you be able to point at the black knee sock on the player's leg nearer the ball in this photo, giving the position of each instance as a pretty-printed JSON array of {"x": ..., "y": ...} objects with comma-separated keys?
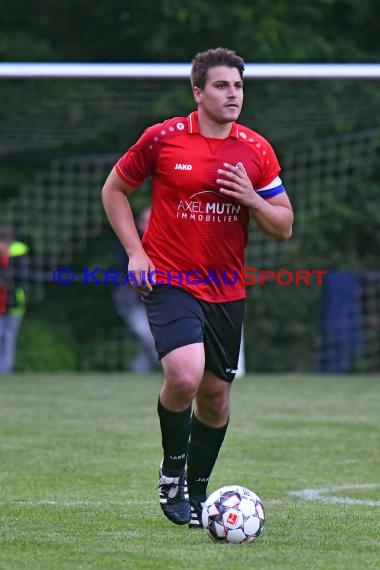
[{"x": 205, "y": 443}]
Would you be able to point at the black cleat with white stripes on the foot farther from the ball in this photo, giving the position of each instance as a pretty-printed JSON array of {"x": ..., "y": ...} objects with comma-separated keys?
[{"x": 174, "y": 497}]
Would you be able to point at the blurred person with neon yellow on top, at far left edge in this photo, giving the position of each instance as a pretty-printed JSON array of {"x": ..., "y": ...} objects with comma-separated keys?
[{"x": 13, "y": 270}]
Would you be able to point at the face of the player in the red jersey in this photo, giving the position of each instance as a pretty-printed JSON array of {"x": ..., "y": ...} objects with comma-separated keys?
[{"x": 222, "y": 96}]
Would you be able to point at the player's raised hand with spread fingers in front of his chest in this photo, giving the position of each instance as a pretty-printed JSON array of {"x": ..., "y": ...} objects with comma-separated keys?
[{"x": 234, "y": 182}]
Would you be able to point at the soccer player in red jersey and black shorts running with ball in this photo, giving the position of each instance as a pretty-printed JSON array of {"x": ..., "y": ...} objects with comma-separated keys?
[{"x": 209, "y": 176}]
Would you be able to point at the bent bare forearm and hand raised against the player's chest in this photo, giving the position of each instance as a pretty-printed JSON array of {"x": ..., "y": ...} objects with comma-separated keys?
[{"x": 273, "y": 215}]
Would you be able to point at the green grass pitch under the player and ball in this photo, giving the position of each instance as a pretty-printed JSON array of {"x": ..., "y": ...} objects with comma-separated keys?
[{"x": 80, "y": 454}]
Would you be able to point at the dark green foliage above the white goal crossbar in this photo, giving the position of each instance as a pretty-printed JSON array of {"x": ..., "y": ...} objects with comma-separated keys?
[{"x": 172, "y": 30}]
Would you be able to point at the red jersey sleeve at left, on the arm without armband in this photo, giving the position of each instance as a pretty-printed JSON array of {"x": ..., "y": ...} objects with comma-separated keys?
[{"x": 138, "y": 162}]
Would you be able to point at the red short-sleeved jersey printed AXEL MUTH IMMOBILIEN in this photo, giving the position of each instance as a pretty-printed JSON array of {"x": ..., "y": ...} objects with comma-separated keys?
[{"x": 196, "y": 237}]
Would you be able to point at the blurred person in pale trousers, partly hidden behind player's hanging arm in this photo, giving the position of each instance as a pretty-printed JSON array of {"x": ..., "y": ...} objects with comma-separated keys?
[{"x": 130, "y": 308}]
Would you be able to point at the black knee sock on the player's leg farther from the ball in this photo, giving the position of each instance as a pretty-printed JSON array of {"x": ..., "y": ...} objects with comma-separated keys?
[{"x": 175, "y": 432}]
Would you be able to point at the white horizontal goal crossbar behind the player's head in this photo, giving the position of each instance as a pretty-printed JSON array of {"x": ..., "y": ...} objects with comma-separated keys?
[{"x": 26, "y": 70}]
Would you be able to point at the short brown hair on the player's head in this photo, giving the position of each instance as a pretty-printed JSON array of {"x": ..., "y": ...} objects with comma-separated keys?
[{"x": 203, "y": 61}]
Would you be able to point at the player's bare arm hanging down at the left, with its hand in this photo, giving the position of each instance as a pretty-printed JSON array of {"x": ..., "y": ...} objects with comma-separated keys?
[{"x": 119, "y": 213}]
